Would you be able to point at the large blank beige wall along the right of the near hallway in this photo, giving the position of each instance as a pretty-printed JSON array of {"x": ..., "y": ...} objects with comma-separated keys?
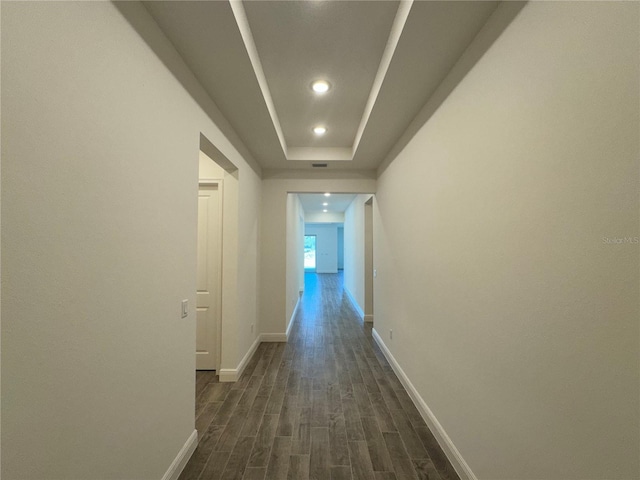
[{"x": 513, "y": 318}]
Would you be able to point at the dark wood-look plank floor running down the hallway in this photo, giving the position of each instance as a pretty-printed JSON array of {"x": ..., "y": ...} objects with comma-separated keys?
[{"x": 326, "y": 406}]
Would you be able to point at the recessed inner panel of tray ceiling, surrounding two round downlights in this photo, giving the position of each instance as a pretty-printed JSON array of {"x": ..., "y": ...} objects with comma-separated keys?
[{"x": 330, "y": 45}]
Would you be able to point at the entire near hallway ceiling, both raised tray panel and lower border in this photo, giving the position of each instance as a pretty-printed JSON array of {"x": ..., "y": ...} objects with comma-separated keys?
[{"x": 299, "y": 41}]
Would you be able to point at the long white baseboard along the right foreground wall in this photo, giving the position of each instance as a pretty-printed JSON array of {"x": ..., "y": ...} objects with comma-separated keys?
[{"x": 445, "y": 442}]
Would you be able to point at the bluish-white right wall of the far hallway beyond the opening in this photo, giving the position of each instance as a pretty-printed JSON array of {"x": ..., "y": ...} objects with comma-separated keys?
[{"x": 354, "y": 249}]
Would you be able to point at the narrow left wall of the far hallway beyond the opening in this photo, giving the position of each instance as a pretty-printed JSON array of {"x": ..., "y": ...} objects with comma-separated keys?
[{"x": 295, "y": 254}]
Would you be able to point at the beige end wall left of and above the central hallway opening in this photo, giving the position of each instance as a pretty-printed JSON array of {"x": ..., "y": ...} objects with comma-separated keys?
[{"x": 275, "y": 297}]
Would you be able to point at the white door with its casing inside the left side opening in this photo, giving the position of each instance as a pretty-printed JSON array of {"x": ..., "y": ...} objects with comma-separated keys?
[{"x": 209, "y": 269}]
